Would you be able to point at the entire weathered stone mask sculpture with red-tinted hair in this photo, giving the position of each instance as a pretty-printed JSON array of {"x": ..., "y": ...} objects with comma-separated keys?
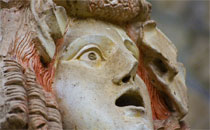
[{"x": 87, "y": 65}]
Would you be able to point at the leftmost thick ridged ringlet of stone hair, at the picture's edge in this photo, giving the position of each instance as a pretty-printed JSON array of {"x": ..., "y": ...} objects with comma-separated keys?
[{"x": 14, "y": 107}]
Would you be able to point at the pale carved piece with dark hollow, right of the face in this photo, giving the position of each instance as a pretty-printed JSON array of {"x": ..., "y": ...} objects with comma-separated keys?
[{"x": 160, "y": 59}]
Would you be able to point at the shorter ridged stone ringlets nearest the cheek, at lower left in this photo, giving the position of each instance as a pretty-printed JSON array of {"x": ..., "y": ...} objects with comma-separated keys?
[{"x": 43, "y": 110}]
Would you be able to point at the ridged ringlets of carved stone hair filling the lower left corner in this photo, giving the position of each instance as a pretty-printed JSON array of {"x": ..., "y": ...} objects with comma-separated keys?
[{"x": 23, "y": 103}]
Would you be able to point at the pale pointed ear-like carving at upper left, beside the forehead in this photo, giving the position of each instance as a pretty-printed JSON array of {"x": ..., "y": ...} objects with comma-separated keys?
[{"x": 51, "y": 21}]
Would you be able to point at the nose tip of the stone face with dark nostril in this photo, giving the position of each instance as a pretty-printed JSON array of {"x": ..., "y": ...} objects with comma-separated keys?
[{"x": 127, "y": 75}]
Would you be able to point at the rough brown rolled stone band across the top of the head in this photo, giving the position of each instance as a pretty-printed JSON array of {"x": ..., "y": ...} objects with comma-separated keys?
[{"x": 119, "y": 11}]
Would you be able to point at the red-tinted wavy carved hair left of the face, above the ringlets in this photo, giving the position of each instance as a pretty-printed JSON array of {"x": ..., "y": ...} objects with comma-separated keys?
[{"x": 25, "y": 53}]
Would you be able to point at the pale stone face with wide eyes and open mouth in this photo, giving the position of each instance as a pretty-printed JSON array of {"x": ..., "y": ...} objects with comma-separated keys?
[{"x": 96, "y": 84}]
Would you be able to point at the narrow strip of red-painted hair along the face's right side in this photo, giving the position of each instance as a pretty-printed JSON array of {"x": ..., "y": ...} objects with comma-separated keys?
[{"x": 160, "y": 110}]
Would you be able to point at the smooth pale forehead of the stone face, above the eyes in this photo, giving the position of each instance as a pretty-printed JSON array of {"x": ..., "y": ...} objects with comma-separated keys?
[{"x": 81, "y": 32}]
